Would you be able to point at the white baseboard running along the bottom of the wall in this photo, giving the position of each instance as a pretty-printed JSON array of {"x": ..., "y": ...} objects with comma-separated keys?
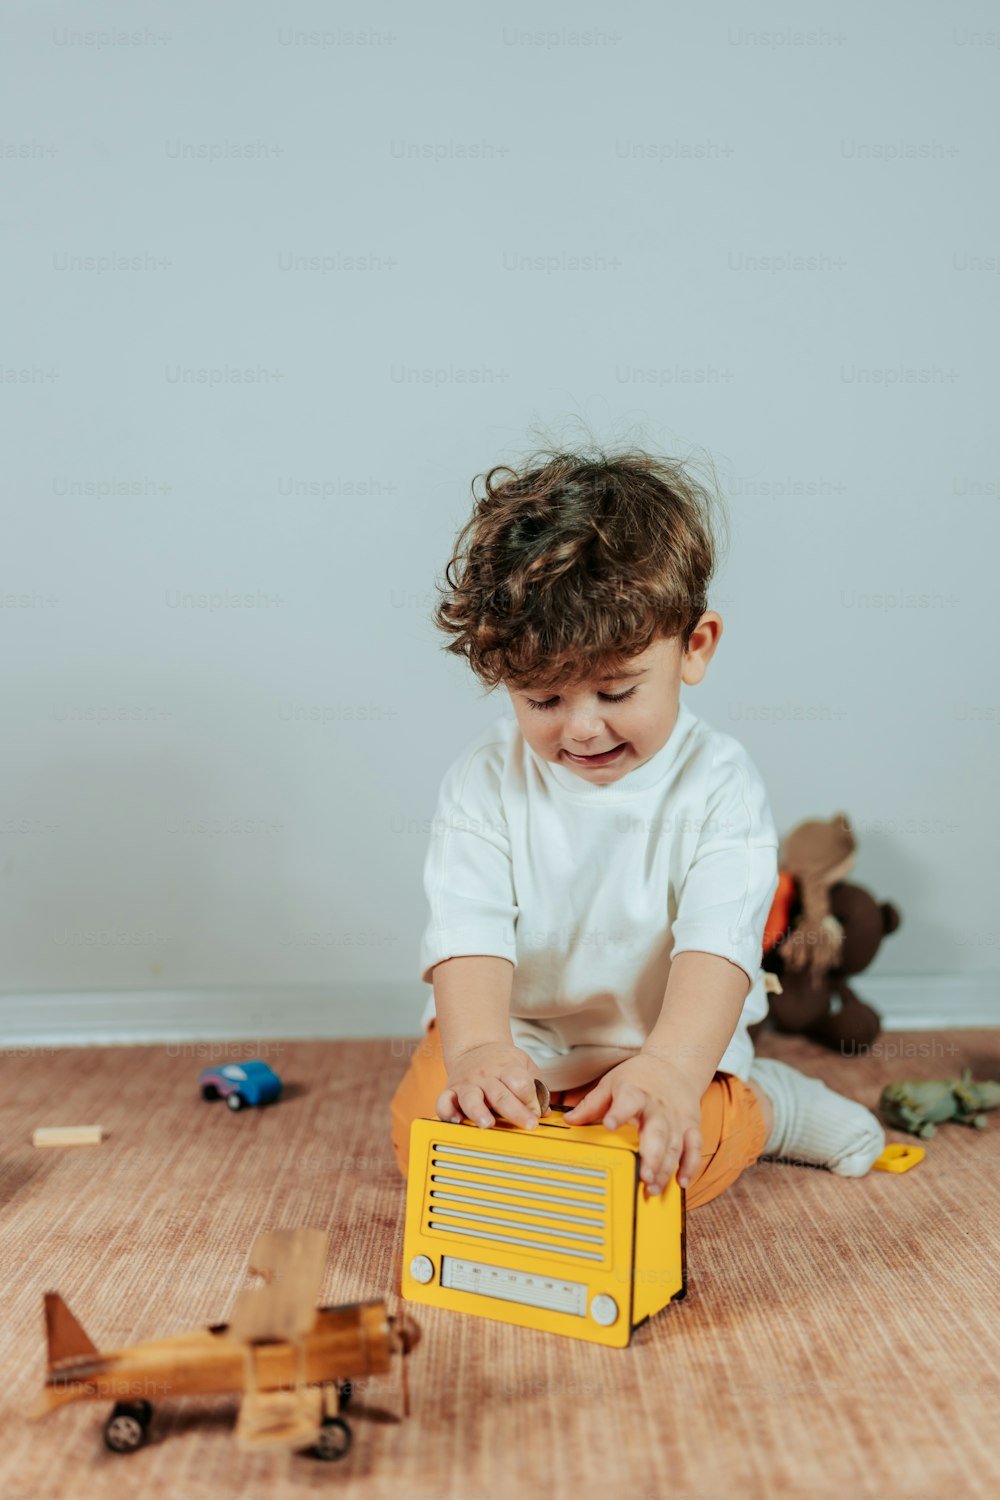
[{"x": 299, "y": 1012}]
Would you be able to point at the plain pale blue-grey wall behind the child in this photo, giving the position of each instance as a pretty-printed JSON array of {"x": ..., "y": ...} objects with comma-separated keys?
[{"x": 677, "y": 148}]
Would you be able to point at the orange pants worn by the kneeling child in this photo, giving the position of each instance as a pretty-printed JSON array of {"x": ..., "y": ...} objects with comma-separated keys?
[{"x": 734, "y": 1127}]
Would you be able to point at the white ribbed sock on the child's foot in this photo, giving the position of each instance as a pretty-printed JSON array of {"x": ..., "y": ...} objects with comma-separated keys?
[{"x": 815, "y": 1124}]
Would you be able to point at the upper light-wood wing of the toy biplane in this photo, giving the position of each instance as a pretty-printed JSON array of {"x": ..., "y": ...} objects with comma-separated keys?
[{"x": 286, "y": 1307}]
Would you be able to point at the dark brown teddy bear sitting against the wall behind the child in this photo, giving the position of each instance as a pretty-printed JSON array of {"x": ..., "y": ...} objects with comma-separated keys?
[{"x": 818, "y": 1001}]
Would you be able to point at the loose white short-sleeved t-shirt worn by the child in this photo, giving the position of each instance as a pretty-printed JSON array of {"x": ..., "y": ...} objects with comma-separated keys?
[{"x": 591, "y": 890}]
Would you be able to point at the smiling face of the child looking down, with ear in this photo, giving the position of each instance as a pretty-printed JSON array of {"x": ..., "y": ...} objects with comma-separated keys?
[{"x": 587, "y": 721}]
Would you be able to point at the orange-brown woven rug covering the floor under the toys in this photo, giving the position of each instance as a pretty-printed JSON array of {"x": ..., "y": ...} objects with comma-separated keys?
[{"x": 840, "y": 1339}]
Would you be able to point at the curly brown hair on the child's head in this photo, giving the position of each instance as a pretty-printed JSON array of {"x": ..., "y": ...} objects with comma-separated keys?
[{"x": 570, "y": 566}]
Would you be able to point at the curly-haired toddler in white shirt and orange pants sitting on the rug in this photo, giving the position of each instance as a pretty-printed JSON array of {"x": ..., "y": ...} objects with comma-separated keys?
[{"x": 602, "y": 865}]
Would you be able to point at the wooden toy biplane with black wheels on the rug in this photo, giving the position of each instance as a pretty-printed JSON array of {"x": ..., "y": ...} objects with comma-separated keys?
[{"x": 292, "y": 1360}]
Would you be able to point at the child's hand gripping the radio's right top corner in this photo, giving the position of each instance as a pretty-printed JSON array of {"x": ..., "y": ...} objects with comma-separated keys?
[{"x": 659, "y": 1097}]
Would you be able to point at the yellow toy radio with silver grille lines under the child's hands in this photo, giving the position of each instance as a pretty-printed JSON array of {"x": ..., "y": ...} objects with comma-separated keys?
[{"x": 549, "y": 1228}]
